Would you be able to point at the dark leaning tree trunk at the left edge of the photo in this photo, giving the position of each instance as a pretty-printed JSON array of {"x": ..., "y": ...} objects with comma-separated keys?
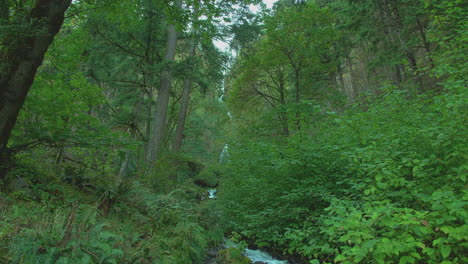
[{"x": 21, "y": 61}]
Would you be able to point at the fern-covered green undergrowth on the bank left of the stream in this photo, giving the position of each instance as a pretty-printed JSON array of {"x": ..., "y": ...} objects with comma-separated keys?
[{"x": 111, "y": 220}]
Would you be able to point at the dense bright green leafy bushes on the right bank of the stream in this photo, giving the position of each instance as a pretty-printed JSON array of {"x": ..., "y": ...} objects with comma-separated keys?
[{"x": 383, "y": 186}]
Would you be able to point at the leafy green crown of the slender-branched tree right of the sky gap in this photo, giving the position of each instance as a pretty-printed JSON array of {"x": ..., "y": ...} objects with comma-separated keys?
[{"x": 289, "y": 64}]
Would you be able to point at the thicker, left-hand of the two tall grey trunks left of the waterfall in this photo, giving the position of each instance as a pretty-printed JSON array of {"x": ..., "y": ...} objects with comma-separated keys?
[{"x": 158, "y": 126}]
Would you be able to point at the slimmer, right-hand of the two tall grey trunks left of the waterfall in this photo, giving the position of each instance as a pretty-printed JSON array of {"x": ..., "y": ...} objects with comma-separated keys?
[{"x": 185, "y": 95}]
